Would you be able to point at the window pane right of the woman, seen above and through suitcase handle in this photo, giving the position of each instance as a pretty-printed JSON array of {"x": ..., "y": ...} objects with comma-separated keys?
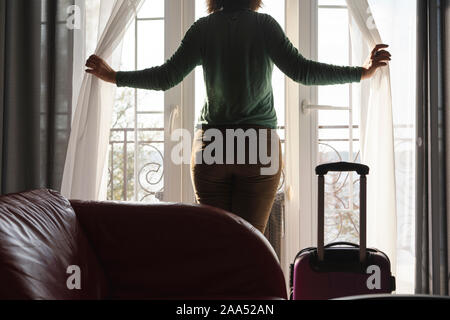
[{"x": 337, "y": 138}]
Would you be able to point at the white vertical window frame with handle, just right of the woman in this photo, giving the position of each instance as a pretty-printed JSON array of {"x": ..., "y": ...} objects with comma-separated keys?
[{"x": 303, "y": 217}]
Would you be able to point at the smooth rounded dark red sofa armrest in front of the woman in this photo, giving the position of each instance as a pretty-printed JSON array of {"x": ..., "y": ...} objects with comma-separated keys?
[{"x": 173, "y": 251}]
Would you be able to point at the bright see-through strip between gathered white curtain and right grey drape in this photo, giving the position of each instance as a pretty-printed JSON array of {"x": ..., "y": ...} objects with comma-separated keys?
[{"x": 397, "y": 23}]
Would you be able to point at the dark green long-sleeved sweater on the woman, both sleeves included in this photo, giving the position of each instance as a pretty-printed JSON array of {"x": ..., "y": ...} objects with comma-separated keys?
[{"x": 237, "y": 49}]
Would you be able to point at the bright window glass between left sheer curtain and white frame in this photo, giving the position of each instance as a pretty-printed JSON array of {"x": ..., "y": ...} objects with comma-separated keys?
[{"x": 136, "y": 156}]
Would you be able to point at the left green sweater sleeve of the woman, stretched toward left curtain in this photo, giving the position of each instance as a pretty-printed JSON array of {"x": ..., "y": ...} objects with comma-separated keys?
[{"x": 171, "y": 73}]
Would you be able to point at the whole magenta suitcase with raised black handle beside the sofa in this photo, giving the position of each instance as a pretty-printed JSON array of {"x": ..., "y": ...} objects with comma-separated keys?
[{"x": 340, "y": 269}]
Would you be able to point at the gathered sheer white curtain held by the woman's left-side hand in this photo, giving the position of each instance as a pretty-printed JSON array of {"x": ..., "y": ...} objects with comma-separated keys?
[{"x": 84, "y": 171}]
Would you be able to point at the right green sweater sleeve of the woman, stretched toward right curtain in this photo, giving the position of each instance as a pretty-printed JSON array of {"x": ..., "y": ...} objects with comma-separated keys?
[{"x": 287, "y": 58}]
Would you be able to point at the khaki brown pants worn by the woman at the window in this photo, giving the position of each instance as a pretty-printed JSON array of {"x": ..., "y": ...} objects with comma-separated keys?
[{"x": 238, "y": 188}]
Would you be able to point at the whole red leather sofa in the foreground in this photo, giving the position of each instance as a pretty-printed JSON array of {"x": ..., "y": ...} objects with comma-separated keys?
[{"x": 130, "y": 251}]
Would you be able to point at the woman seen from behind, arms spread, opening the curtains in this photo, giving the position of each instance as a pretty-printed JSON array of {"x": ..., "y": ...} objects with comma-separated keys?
[{"x": 237, "y": 47}]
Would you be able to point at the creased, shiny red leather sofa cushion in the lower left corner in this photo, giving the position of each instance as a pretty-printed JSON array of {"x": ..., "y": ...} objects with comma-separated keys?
[{"x": 40, "y": 239}]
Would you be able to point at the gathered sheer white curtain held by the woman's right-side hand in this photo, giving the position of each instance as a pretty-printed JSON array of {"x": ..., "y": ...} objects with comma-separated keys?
[{"x": 377, "y": 135}]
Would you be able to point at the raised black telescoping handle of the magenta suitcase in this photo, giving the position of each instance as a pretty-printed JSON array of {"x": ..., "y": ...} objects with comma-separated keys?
[{"x": 363, "y": 171}]
